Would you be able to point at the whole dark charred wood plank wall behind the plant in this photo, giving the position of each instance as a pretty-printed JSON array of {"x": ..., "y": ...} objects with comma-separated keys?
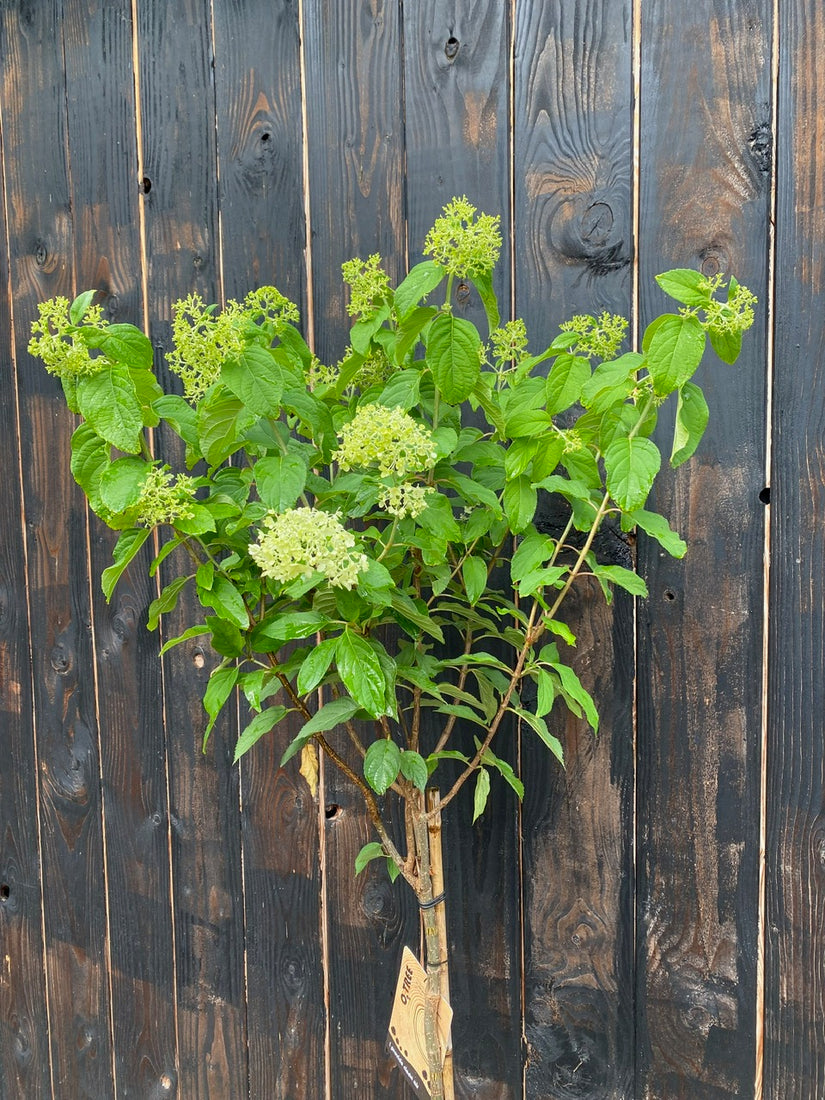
[{"x": 652, "y": 922}]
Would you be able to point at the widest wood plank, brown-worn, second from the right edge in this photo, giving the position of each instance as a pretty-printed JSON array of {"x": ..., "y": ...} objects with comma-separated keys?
[{"x": 706, "y": 201}]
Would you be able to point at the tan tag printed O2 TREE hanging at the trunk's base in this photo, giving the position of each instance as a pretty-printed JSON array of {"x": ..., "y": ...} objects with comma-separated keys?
[{"x": 406, "y": 1040}]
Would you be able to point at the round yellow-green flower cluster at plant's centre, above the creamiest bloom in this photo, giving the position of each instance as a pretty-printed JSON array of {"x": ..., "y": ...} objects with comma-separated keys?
[{"x": 389, "y": 439}]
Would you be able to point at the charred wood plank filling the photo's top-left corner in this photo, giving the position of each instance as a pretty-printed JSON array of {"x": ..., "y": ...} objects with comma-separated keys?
[{"x": 41, "y": 235}]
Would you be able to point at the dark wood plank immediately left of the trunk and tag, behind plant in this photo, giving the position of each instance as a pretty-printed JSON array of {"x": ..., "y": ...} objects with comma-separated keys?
[{"x": 354, "y": 105}]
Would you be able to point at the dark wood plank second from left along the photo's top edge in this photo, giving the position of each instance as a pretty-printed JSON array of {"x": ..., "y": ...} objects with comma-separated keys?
[{"x": 100, "y": 76}]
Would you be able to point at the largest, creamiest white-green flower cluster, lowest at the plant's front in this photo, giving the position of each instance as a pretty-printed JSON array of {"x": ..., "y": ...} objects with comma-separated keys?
[{"x": 303, "y": 542}]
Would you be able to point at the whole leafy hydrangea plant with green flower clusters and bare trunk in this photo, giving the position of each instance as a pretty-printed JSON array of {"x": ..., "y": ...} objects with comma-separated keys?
[{"x": 364, "y": 533}]
